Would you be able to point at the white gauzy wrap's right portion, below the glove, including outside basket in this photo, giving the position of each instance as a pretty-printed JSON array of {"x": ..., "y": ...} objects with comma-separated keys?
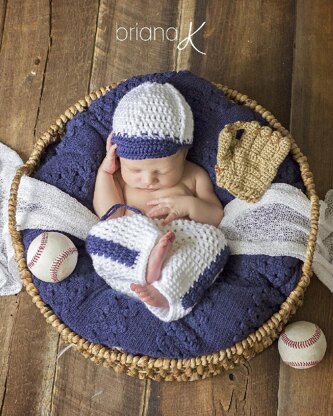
[{"x": 279, "y": 225}]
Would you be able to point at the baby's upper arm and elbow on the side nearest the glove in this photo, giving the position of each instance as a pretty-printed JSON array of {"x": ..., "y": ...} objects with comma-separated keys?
[{"x": 205, "y": 207}]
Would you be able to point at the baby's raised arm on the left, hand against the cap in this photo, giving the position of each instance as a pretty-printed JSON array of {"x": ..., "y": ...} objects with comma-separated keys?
[{"x": 108, "y": 191}]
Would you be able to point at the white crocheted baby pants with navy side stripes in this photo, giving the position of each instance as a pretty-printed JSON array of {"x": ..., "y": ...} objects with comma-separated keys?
[{"x": 120, "y": 250}]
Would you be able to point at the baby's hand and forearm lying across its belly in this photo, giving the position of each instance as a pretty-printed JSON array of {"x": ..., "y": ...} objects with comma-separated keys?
[{"x": 171, "y": 208}]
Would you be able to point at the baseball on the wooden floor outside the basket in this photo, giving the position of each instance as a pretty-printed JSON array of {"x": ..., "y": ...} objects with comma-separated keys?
[{"x": 302, "y": 345}]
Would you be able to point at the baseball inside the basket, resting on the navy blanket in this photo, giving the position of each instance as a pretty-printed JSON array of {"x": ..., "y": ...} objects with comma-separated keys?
[{"x": 52, "y": 257}]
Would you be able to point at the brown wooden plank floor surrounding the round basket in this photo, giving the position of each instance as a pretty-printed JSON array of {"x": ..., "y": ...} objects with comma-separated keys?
[{"x": 53, "y": 53}]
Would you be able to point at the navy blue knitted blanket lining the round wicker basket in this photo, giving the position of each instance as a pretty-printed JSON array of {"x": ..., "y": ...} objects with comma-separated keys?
[{"x": 249, "y": 290}]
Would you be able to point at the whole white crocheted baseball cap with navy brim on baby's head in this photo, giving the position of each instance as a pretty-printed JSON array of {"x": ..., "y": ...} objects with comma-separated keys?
[{"x": 152, "y": 120}]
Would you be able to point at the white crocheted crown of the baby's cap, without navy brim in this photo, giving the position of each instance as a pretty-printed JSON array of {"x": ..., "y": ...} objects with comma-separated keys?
[{"x": 154, "y": 109}]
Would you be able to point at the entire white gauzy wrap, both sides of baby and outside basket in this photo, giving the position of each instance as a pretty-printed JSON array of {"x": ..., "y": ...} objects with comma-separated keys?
[{"x": 277, "y": 225}]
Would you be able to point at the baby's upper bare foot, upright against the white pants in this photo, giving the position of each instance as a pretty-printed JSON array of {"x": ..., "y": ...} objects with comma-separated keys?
[{"x": 158, "y": 256}]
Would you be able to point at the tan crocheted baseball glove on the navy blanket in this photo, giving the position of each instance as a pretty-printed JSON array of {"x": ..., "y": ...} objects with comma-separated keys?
[{"x": 246, "y": 167}]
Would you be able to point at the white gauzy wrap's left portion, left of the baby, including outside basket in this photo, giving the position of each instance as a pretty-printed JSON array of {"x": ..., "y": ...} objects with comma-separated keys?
[{"x": 39, "y": 206}]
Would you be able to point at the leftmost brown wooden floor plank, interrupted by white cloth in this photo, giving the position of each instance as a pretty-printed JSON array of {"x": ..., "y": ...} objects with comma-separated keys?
[{"x": 20, "y": 86}]
